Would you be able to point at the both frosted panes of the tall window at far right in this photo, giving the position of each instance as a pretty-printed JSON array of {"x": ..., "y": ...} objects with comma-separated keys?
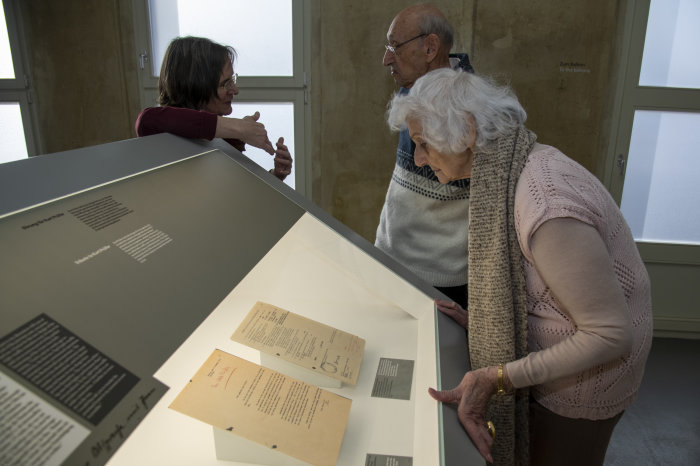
[{"x": 664, "y": 153}]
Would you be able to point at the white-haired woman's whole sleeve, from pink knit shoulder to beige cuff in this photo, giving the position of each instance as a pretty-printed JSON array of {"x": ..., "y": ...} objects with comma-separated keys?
[{"x": 559, "y": 233}]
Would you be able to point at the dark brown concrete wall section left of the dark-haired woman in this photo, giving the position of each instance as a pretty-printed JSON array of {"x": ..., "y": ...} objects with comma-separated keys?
[{"x": 86, "y": 93}]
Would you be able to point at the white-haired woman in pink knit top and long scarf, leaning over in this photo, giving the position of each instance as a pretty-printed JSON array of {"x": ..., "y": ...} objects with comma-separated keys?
[{"x": 559, "y": 310}]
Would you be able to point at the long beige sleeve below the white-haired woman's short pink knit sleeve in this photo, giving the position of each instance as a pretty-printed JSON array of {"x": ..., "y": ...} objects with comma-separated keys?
[{"x": 574, "y": 263}]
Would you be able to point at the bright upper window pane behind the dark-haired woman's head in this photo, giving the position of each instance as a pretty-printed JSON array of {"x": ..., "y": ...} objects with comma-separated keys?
[{"x": 260, "y": 31}]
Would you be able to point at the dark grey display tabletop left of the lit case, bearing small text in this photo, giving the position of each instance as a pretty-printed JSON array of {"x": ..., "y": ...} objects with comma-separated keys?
[{"x": 220, "y": 221}]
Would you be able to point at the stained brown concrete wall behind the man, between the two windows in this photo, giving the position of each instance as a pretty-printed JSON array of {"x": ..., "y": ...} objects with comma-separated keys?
[{"x": 556, "y": 55}]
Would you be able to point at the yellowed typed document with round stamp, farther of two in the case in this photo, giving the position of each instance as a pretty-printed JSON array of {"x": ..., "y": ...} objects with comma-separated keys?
[{"x": 302, "y": 341}]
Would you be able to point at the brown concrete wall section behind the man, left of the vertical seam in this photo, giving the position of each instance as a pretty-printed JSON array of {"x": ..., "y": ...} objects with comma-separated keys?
[{"x": 353, "y": 149}]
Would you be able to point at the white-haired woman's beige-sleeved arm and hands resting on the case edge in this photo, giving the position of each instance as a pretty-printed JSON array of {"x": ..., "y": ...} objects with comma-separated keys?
[{"x": 573, "y": 261}]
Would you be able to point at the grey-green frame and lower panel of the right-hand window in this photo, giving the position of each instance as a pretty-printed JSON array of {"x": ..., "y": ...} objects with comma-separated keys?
[{"x": 673, "y": 268}]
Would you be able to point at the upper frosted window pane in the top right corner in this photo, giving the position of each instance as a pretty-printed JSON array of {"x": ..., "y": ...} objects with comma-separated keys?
[{"x": 670, "y": 48}]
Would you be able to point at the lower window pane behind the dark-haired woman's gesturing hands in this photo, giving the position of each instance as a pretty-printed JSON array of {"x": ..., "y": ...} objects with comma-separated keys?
[{"x": 278, "y": 119}]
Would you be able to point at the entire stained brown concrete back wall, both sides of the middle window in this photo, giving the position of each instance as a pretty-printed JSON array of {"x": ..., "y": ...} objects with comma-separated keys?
[{"x": 556, "y": 55}]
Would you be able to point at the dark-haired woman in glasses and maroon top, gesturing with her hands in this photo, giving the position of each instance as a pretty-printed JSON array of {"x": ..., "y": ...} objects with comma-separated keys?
[{"x": 196, "y": 87}]
